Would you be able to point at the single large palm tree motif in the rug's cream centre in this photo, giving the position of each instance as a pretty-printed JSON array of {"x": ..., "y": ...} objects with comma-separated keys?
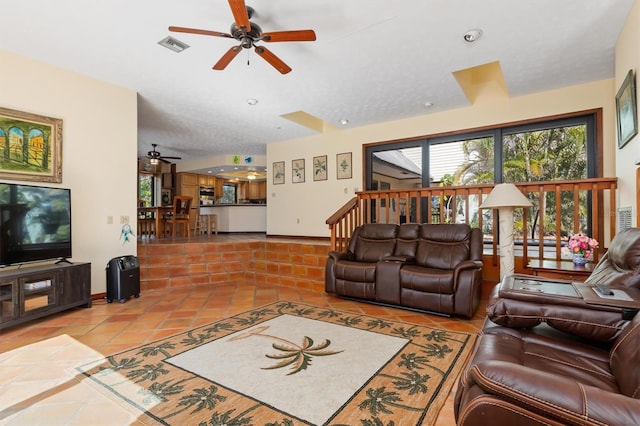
[{"x": 297, "y": 356}]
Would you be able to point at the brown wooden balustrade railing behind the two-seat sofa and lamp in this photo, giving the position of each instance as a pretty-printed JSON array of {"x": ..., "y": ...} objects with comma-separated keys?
[{"x": 560, "y": 209}]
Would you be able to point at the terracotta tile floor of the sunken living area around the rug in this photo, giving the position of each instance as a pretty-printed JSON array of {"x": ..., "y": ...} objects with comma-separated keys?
[{"x": 38, "y": 383}]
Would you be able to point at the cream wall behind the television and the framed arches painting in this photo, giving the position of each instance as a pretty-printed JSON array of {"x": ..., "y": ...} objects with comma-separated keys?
[{"x": 99, "y": 151}]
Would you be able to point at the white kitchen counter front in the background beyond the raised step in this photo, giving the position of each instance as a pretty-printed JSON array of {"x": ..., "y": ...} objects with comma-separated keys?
[{"x": 239, "y": 217}]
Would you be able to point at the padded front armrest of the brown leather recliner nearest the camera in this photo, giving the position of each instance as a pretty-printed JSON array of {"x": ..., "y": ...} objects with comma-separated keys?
[{"x": 556, "y": 396}]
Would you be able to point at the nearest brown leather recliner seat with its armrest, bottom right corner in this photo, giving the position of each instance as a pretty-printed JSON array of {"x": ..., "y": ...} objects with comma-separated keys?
[{"x": 520, "y": 377}]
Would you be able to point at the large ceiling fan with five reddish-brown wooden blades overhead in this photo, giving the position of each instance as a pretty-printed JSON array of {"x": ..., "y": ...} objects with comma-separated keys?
[{"x": 248, "y": 34}]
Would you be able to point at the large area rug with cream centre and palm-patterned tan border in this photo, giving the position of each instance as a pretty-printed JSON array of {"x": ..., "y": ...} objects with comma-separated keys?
[{"x": 290, "y": 364}]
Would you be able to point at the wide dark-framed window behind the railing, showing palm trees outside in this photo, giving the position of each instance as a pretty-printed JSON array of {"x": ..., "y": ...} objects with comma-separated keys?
[{"x": 546, "y": 150}]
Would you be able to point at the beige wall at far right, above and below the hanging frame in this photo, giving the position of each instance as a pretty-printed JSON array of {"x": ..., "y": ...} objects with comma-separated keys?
[{"x": 628, "y": 57}]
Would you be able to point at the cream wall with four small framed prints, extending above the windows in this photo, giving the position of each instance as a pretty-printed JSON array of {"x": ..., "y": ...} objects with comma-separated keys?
[{"x": 311, "y": 203}]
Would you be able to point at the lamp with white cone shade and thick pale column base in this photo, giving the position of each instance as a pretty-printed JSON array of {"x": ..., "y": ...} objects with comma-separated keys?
[{"x": 505, "y": 197}]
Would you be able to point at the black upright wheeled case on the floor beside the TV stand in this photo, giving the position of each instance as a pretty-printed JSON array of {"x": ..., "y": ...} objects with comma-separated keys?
[{"x": 123, "y": 278}]
